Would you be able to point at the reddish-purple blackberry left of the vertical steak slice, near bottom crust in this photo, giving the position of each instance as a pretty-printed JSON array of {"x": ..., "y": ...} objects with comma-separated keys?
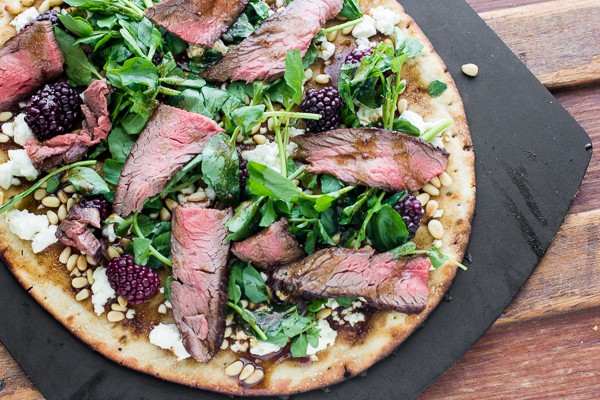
[{"x": 136, "y": 283}]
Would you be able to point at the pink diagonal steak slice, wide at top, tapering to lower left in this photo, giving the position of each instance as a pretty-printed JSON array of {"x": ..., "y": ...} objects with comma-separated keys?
[{"x": 170, "y": 140}]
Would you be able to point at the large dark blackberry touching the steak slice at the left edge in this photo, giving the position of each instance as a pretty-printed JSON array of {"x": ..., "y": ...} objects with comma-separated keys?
[{"x": 53, "y": 110}]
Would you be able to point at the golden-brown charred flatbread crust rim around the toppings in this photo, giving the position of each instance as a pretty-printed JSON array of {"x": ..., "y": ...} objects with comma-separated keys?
[{"x": 47, "y": 281}]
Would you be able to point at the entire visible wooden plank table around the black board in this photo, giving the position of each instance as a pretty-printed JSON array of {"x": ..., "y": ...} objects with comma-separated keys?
[{"x": 547, "y": 342}]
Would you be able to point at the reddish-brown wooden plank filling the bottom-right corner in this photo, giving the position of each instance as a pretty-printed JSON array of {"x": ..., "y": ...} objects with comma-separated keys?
[{"x": 550, "y": 358}]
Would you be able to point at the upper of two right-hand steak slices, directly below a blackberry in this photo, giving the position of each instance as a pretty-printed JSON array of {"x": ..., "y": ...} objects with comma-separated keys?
[{"x": 372, "y": 157}]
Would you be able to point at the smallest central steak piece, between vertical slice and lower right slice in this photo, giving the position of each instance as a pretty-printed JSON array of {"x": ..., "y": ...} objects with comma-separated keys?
[{"x": 272, "y": 246}]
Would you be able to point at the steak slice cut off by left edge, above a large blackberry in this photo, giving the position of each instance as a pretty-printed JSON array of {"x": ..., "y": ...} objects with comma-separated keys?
[{"x": 27, "y": 61}]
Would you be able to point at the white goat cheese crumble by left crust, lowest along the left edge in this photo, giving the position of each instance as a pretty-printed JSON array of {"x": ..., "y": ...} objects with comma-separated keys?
[{"x": 28, "y": 226}]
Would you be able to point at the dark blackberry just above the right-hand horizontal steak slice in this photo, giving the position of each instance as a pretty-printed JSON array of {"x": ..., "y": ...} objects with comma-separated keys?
[{"x": 326, "y": 102}]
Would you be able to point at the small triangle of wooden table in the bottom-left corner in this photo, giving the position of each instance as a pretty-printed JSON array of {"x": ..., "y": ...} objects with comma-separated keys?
[{"x": 17, "y": 385}]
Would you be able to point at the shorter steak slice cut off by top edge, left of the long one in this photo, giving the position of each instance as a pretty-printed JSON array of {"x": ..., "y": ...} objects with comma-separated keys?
[{"x": 200, "y": 22}]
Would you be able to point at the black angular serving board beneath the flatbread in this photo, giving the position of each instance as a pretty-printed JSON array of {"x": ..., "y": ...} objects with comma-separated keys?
[{"x": 531, "y": 157}]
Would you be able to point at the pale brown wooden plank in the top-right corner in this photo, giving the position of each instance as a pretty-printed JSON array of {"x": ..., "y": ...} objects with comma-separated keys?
[{"x": 557, "y": 40}]
